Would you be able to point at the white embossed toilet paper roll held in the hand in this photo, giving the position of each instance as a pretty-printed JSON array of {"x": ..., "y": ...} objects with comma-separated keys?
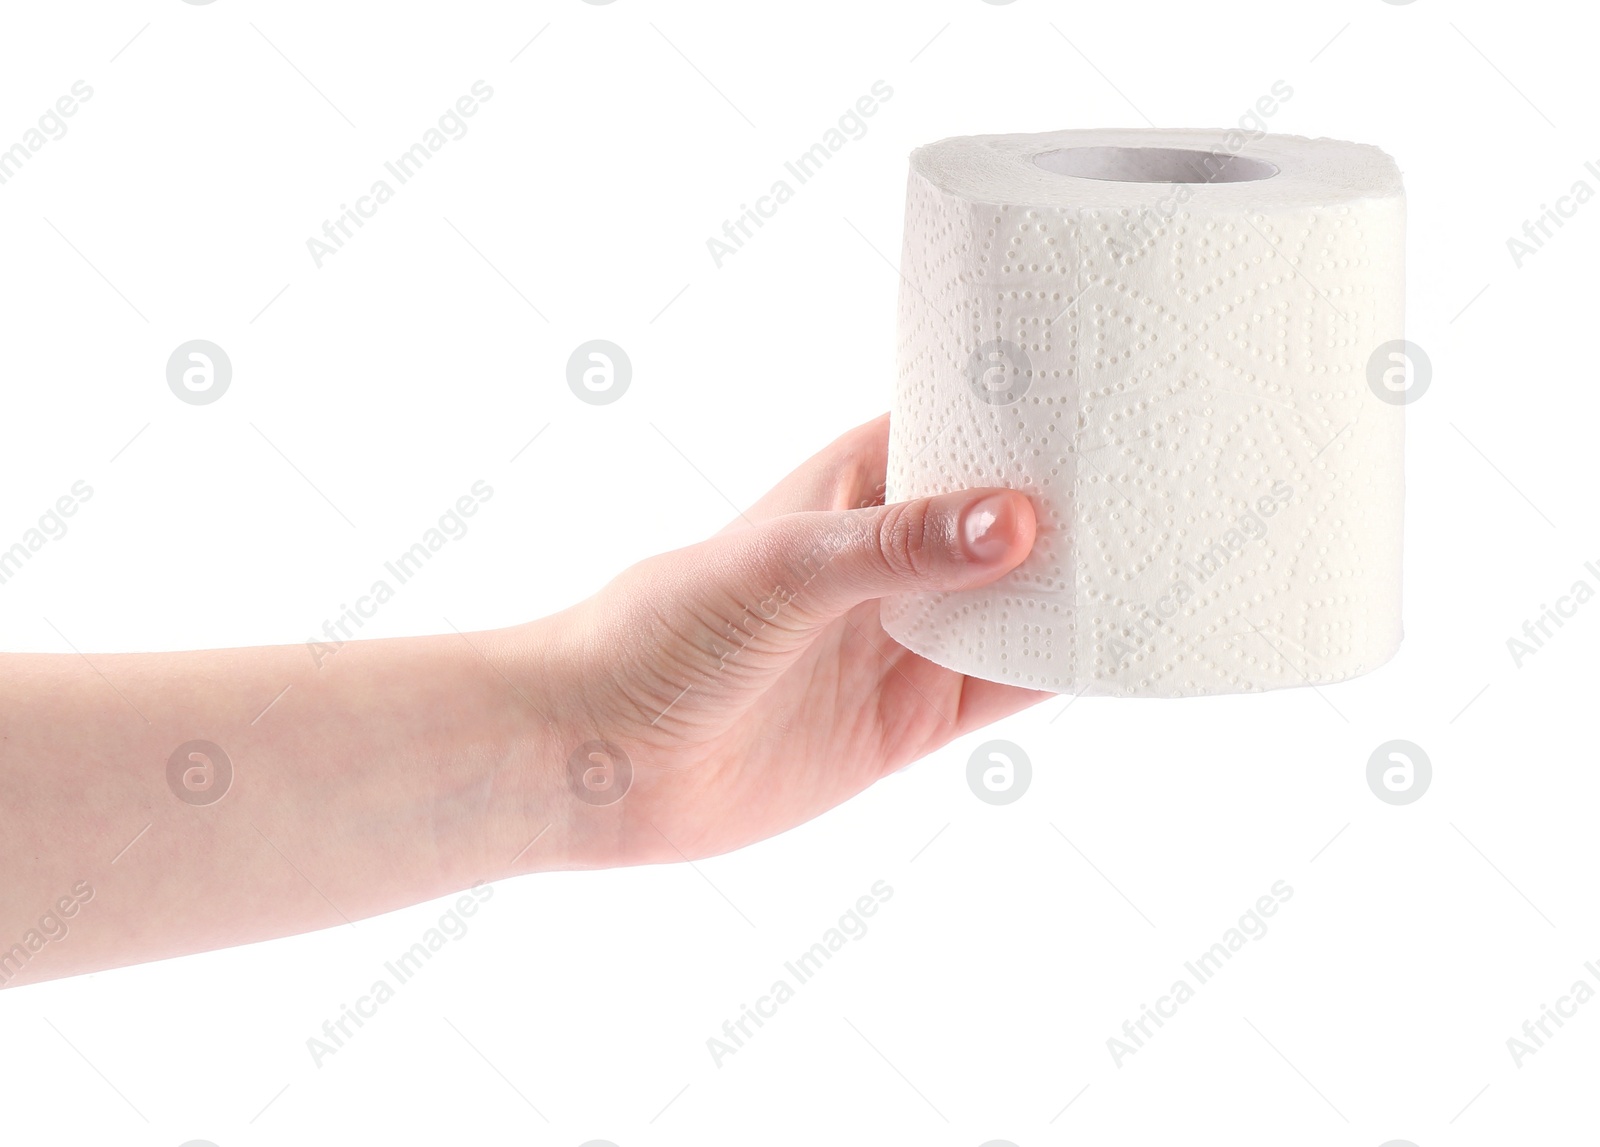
[{"x": 1186, "y": 348}]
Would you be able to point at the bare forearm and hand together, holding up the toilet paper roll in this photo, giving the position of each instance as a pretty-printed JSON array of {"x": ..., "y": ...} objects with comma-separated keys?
[{"x": 746, "y": 681}]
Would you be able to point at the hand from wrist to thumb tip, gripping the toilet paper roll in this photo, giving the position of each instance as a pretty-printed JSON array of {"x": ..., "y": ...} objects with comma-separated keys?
[{"x": 748, "y": 681}]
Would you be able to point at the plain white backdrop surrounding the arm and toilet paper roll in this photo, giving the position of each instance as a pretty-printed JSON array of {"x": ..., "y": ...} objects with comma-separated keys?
[{"x": 370, "y": 394}]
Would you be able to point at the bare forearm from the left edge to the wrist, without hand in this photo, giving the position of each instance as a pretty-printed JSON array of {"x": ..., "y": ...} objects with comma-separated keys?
[{"x": 393, "y": 773}]
